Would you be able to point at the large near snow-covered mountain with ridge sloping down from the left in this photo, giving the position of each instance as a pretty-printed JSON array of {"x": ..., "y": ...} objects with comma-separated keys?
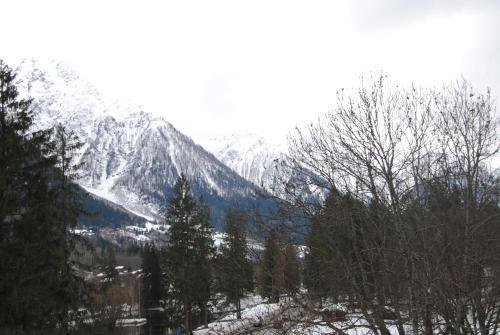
[{"x": 129, "y": 157}]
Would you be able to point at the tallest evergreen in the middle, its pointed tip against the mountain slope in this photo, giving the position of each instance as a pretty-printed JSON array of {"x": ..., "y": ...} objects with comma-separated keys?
[{"x": 188, "y": 249}]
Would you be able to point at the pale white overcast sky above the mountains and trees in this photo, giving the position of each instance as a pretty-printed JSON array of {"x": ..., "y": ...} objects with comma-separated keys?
[{"x": 216, "y": 68}]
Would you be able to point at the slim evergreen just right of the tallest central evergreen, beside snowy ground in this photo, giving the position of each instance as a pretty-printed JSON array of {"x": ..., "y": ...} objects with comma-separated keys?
[{"x": 236, "y": 272}]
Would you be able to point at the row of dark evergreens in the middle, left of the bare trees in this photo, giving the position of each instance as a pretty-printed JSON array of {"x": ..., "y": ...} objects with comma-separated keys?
[{"x": 187, "y": 278}]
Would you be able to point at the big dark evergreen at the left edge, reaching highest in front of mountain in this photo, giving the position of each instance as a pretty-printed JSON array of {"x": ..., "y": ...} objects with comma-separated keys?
[{"x": 37, "y": 284}]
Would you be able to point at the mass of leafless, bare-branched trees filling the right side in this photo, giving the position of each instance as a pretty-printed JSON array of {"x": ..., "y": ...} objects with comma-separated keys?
[{"x": 408, "y": 233}]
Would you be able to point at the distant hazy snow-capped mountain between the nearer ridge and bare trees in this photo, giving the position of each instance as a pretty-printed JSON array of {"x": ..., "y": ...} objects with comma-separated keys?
[{"x": 251, "y": 156}]
